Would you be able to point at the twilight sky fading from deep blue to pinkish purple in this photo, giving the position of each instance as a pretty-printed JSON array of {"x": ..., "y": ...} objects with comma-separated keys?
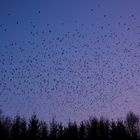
[{"x": 69, "y": 58}]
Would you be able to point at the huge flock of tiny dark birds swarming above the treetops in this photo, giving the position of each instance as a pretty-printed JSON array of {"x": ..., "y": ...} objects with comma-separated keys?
[{"x": 87, "y": 67}]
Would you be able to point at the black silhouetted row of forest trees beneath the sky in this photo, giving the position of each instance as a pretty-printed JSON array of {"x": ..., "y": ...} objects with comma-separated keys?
[{"x": 19, "y": 128}]
